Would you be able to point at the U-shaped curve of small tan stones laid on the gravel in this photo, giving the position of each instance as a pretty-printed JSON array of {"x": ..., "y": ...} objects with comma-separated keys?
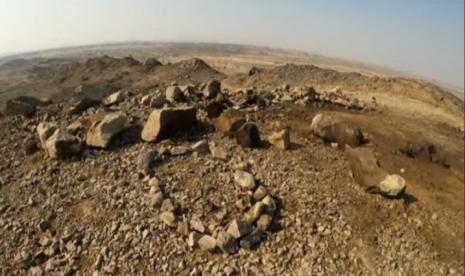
[{"x": 244, "y": 232}]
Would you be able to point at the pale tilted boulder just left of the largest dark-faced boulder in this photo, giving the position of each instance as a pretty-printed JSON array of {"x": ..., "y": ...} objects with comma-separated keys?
[{"x": 102, "y": 132}]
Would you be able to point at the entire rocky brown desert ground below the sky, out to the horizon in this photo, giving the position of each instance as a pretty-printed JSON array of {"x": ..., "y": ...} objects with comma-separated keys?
[{"x": 216, "y": 159}]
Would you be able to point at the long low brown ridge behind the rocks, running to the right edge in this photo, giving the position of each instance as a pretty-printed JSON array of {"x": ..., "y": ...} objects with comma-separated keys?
[{"x": 300, "y": 75}]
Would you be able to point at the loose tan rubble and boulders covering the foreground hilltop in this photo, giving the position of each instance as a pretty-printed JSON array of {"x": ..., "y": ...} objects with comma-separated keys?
[{"x": 206, "y": 195}]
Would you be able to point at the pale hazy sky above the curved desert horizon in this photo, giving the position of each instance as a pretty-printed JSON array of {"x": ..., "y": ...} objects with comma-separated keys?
[{"x": 424, "y": 37}]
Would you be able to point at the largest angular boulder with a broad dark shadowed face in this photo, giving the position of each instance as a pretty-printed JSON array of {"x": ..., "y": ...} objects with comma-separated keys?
[{"x": 167, "y": 121}]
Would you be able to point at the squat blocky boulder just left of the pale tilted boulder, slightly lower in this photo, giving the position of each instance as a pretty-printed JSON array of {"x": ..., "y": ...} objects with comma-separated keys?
[{"x": 62, "y": 144}]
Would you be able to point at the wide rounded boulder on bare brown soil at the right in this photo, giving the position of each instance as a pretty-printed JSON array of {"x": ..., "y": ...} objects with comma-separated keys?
[{"x": 331, "y": 130}]
